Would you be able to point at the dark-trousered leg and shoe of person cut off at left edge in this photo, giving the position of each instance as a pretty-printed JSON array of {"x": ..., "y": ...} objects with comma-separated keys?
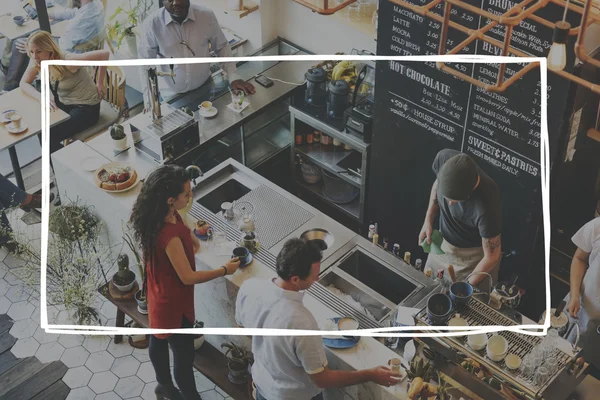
[{"x": 11, "y": 196}]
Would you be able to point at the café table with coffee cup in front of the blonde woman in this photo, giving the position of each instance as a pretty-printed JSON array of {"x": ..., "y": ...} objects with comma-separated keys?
[{"x": 30, "y": 110}]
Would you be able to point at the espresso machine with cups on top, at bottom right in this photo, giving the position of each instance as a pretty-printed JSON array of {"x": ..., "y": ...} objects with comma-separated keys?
[{"x": 448, "y": 354}]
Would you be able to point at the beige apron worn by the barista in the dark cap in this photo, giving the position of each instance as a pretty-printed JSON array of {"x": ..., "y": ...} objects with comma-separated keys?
[{"x": 464, "y": 261}]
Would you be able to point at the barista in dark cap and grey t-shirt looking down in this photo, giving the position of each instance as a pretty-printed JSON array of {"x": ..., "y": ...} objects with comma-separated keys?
[{"x": 468, "y": 202}]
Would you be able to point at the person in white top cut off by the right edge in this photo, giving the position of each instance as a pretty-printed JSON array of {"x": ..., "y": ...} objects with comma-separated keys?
[{"x": 583, "y": 300}]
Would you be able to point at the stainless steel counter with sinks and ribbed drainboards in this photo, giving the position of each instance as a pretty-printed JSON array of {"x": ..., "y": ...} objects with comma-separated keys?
[{"x": 279, "y": 216}]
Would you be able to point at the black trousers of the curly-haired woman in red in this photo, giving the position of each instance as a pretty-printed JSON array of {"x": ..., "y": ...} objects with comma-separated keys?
[{"x": 183, "y": 361}]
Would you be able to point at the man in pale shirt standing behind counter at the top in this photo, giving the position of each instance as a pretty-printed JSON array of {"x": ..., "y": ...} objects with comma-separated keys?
[{"x": 180, "y": 30}]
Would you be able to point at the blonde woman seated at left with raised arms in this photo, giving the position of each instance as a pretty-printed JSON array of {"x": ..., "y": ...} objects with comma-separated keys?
[{"x": 73, "y": 88}]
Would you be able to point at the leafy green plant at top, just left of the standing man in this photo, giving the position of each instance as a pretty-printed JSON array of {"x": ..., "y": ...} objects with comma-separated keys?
[{"x": 122, "y": 24}]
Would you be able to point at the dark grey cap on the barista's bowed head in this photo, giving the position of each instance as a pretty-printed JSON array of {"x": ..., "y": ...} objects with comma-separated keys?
[{"x": 457, "y": 177}]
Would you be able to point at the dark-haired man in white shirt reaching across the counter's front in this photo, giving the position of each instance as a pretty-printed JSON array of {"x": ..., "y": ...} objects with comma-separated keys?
[{"x": 293, "y": 367}]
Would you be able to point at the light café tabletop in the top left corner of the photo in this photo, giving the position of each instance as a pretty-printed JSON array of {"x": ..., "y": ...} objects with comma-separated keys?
[{"x": 11, "y": 30}]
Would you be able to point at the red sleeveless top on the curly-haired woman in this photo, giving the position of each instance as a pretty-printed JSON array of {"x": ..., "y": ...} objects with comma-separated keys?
[{"x": 169, "y": 300}]
